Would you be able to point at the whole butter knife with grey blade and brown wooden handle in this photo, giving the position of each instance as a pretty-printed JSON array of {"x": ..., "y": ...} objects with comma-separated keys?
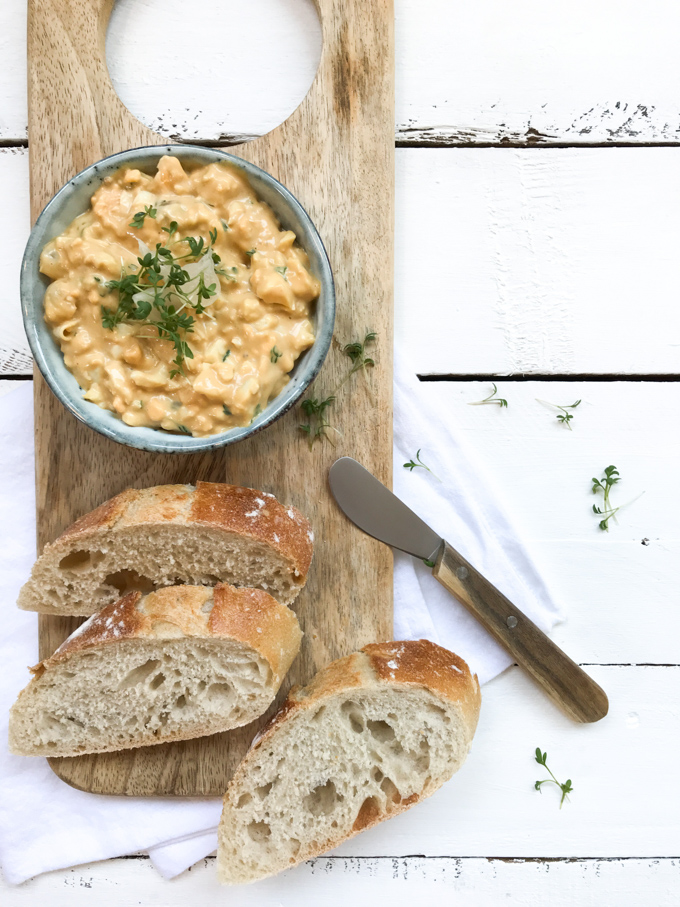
[{"x": 379, "y": 513}]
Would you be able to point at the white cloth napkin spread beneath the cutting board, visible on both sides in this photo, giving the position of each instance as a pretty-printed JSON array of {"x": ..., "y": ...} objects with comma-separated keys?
[{"x": 45, "y": 824}]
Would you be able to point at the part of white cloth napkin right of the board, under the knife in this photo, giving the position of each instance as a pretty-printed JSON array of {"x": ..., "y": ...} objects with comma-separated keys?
[{"x": 466, "y": 509}]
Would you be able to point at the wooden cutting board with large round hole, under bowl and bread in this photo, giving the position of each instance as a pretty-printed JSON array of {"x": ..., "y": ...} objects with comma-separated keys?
[{"x": 336, "y": 154}]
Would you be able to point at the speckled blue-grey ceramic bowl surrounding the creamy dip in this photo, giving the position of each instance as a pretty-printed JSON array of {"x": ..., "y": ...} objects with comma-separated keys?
[{"x": 73, "y": 199}]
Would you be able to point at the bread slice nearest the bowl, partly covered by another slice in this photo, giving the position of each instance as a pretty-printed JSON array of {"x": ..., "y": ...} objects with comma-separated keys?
[{"x": 170, "y": 534}]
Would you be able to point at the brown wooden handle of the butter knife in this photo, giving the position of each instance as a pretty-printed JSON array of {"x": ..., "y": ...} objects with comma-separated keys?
[{"x": 563, "y": 680}]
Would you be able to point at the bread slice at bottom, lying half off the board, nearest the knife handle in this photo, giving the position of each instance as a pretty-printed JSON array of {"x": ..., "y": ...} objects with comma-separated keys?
[{"x": 372, "y": 734}]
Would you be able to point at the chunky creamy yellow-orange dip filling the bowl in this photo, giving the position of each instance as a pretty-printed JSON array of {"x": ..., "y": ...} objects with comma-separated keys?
[{"x": 244, "y": 343}]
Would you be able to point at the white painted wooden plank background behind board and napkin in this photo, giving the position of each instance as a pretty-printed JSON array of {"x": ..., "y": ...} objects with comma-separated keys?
[{"x": 538, "y": 238}]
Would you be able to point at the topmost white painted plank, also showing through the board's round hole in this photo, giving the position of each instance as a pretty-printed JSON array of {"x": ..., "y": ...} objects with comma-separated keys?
[{"x": 475, "y": 73}]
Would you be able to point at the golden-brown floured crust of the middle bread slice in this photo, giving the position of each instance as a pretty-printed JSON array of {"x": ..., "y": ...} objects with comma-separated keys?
[{"x": 248, "y": 616}]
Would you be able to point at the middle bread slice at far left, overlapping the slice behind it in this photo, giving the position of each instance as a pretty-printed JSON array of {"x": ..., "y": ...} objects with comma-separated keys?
[{"x": 182, "y": 662}]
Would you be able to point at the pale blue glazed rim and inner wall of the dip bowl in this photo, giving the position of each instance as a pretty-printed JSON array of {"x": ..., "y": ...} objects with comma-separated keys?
[{"x": 158, "y": 440}]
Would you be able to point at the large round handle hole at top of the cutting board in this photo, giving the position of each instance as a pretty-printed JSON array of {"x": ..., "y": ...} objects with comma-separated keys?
[{"x": 225, "y": 72}]
